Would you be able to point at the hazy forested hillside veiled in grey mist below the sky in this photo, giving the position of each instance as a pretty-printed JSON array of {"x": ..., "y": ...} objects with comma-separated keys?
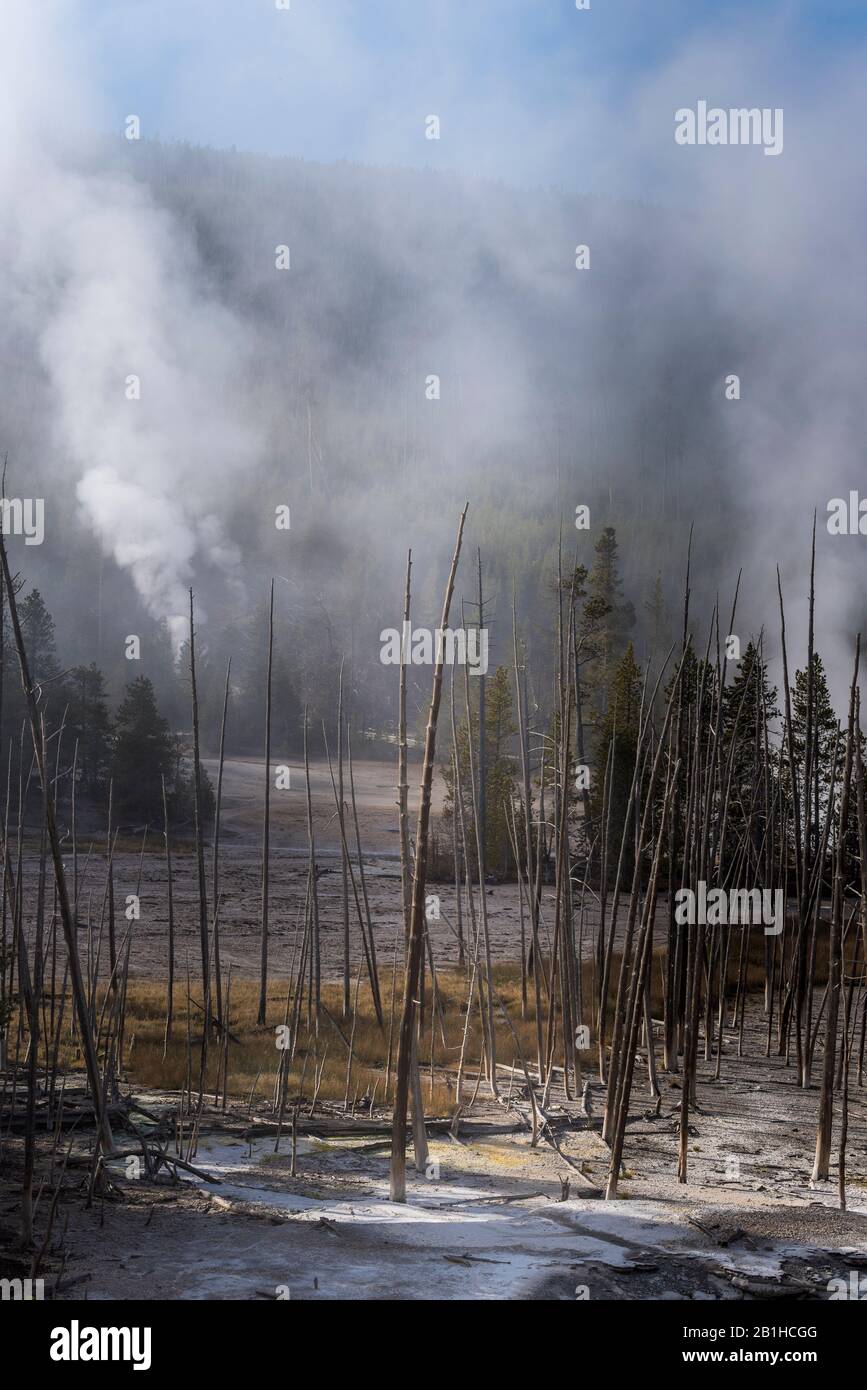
[{"x": 550, "y": 395}]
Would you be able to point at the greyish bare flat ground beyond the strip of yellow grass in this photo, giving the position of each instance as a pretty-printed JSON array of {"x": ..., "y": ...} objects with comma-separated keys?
[{"x": 241, "y": 881}]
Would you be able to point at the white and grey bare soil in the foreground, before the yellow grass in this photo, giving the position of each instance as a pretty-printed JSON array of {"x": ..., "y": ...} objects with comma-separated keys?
[{"x": 755, "y": 1232}]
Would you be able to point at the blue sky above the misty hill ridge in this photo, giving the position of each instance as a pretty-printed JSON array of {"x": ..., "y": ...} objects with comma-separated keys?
[{"x": 527, "y": 91}]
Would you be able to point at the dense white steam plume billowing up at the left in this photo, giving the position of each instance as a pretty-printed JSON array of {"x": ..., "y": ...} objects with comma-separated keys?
[{"x": 108, "y": 288}]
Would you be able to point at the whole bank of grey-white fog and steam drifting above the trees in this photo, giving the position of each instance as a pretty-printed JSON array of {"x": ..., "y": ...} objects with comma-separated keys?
[{"x": 167, "y": 387}]
